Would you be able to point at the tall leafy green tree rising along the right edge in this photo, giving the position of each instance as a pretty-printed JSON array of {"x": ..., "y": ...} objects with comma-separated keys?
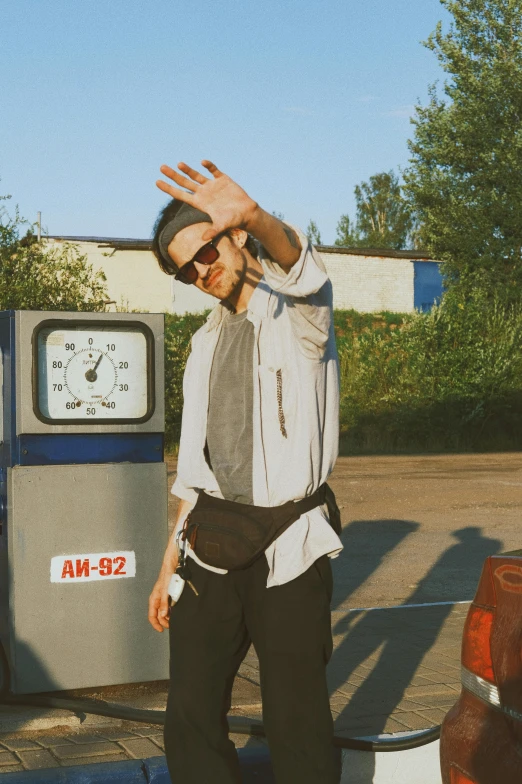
[{"x": 465, "y": 175}]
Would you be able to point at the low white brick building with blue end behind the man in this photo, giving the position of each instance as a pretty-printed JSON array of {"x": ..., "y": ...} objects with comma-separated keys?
[{"x": 363, "y": 279}]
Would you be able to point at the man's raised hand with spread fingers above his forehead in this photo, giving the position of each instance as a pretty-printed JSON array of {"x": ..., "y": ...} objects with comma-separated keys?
[{"x": 229, "y": 206}]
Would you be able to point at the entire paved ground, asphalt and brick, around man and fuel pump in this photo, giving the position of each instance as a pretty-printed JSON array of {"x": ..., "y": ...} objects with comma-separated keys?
[{"x": 416, "y": 530}]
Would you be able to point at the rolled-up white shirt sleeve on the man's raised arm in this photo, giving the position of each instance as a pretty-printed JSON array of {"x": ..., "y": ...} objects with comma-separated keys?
[{"x": 306, "y": 277}]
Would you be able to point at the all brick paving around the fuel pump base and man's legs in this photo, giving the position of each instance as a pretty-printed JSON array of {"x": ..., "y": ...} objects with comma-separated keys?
[{"x": 391, "y": 671}]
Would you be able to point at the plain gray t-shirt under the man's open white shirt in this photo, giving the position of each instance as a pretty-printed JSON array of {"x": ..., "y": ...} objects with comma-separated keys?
[{"x": 230, "y": 410}]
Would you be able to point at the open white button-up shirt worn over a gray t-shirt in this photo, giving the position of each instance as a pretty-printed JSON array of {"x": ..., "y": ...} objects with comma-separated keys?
[{"x": 292, "y": 316}]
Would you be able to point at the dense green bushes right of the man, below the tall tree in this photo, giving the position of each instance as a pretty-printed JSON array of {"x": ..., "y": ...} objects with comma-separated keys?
[{"x": 450, "y": 379}]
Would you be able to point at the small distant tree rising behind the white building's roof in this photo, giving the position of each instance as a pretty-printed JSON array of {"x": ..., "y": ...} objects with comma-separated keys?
[{"x": 383, "y": 217}]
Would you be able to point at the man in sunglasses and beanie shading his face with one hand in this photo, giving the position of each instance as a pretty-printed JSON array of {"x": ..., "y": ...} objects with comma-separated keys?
[{"x": 259, "y": 430}]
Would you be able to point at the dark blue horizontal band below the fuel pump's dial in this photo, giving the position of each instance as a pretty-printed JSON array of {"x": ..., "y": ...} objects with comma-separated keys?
[{"x": 73, "y": 448}]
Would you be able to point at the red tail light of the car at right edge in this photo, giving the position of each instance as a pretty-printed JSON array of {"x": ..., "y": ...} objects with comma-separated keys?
[{"x": 476, "y": 646}]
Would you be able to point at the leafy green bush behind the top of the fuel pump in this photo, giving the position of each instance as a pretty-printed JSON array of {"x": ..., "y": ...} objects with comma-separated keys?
[{"x": 38, "y": 276}]
